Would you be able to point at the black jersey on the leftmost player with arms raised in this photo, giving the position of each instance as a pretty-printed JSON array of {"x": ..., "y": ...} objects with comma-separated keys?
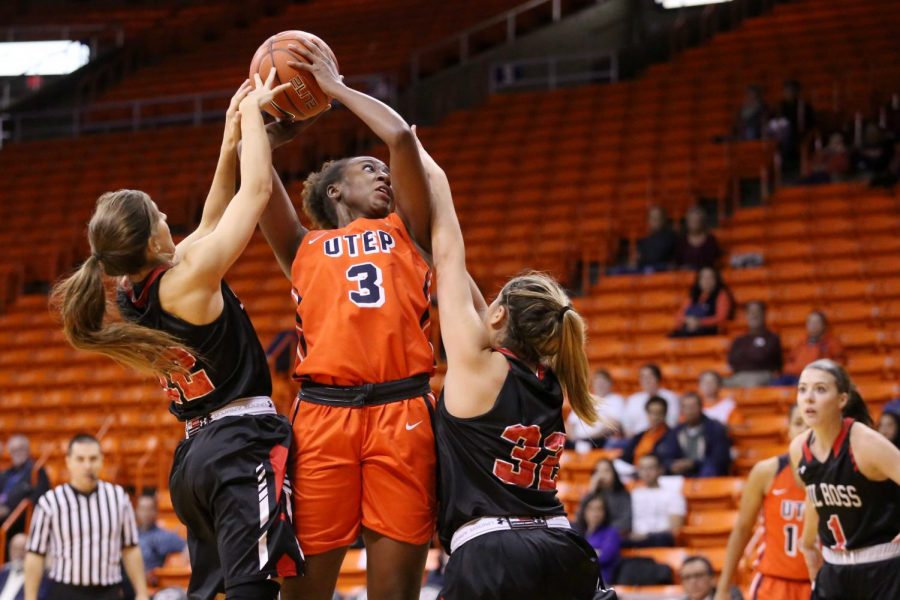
[{"x": 231, "y": 363}]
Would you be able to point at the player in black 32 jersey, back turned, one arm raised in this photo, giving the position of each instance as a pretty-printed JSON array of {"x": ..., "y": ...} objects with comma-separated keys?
[{"x": 499, "y": 429}]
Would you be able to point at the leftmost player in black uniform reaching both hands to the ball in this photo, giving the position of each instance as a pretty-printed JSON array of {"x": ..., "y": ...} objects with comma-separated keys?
[{"x": 182, "y": 323}]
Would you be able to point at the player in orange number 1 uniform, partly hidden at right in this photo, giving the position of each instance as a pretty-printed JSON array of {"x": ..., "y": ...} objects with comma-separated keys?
[{"x": 781, "y": 573}]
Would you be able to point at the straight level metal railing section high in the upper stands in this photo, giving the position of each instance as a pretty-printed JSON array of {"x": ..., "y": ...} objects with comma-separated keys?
[{"x": 551, "y": 72}]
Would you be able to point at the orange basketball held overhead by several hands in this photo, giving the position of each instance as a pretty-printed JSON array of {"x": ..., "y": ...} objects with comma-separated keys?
[{"x": 305, "y": 99}]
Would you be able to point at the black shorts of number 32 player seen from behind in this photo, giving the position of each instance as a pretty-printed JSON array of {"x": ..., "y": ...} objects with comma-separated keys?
[{"x": 526, "y": 564}]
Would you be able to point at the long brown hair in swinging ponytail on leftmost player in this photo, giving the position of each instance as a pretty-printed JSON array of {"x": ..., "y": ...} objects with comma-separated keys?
[{"x": 118, "y": 232}]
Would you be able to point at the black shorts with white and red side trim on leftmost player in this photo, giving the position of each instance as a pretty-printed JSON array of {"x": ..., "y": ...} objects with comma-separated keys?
[{"x": 229, "y": 488}]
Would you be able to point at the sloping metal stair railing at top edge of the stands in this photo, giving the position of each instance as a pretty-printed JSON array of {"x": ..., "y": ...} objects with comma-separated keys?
[{"x": 463, "y": 44}]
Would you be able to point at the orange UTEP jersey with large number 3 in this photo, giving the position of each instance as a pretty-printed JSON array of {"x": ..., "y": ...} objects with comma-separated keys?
[{"x": 363, "y": 298}]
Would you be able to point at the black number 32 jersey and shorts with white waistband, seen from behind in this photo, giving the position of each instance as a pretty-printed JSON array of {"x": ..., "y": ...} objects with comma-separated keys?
[{"x": 498, "y": 497}]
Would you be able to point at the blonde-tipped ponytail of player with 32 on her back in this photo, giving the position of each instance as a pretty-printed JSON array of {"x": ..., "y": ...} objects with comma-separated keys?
[{"x": 571, "y": 367}]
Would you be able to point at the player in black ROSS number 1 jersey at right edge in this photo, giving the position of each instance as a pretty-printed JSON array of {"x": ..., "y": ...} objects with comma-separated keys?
[{"x": 851, "y": 475}]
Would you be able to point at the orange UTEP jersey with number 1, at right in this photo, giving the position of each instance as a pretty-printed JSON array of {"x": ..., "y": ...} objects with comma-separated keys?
[{"x": 783, "y": 521}]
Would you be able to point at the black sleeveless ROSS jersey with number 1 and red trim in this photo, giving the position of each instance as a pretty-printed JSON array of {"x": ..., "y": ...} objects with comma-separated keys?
[{"x": 854, "y": 512}]
